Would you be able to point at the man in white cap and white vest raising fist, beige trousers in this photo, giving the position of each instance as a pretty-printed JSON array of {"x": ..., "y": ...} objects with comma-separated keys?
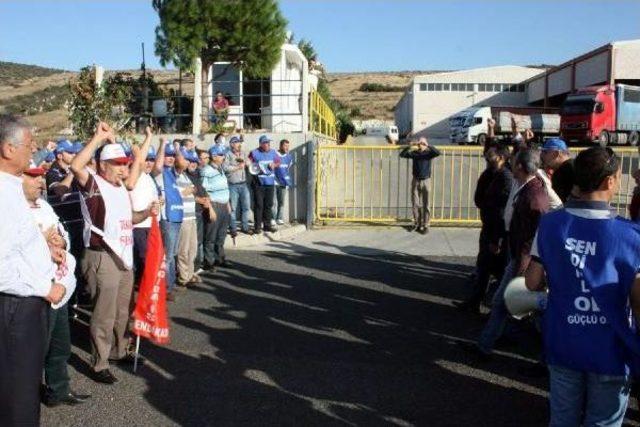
[{"x": 108, "y": 239}]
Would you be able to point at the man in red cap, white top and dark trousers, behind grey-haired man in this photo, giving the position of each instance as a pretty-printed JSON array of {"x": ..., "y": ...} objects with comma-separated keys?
[{"x": 56, "y": 377}]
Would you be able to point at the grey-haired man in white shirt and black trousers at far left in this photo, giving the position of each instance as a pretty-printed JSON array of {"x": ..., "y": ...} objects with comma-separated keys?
[{"x": 26, "y": 284}]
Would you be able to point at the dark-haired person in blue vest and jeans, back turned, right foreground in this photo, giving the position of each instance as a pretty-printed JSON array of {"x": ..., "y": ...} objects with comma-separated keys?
[{"x": 590, "y": 258}]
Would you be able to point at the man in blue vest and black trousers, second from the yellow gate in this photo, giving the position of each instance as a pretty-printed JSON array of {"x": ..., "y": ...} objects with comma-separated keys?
[{"x": 266, "y": 161}]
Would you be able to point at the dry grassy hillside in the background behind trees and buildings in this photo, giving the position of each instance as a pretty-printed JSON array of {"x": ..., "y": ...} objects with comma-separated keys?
[{"x": 42, "y": 93}]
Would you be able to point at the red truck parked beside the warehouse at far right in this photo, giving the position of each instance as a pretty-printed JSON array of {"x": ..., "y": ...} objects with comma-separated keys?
[{"x": 603, "y": 115}]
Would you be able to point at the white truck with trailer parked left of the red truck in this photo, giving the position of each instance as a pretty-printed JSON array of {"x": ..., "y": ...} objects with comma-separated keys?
[{"x": 470, "y": 126}]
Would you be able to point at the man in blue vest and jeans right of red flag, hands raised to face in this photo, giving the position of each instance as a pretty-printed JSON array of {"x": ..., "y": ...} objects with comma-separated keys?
[{"x": 172, "y": 214}]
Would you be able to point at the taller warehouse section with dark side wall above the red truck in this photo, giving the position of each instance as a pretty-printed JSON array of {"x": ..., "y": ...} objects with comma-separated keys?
[{"x": 617, "y": 62}]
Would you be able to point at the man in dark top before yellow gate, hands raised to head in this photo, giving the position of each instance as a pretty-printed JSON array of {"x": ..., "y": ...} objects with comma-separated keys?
[{"x": 421, "y": 153}]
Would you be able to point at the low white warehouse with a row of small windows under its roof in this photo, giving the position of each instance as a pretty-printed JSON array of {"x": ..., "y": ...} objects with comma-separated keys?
[{"x": 432, "y": 99}]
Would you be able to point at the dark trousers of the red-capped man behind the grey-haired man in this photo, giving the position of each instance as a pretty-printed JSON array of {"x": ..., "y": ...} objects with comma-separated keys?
[{"x": 56, "y": 376}]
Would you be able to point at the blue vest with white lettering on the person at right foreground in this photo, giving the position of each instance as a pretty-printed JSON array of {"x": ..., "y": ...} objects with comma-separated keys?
[{"x": 590, "y": 265}]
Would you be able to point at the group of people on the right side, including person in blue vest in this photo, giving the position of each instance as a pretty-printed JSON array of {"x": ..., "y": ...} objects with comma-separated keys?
[{"x": 547, "y": 217}]
